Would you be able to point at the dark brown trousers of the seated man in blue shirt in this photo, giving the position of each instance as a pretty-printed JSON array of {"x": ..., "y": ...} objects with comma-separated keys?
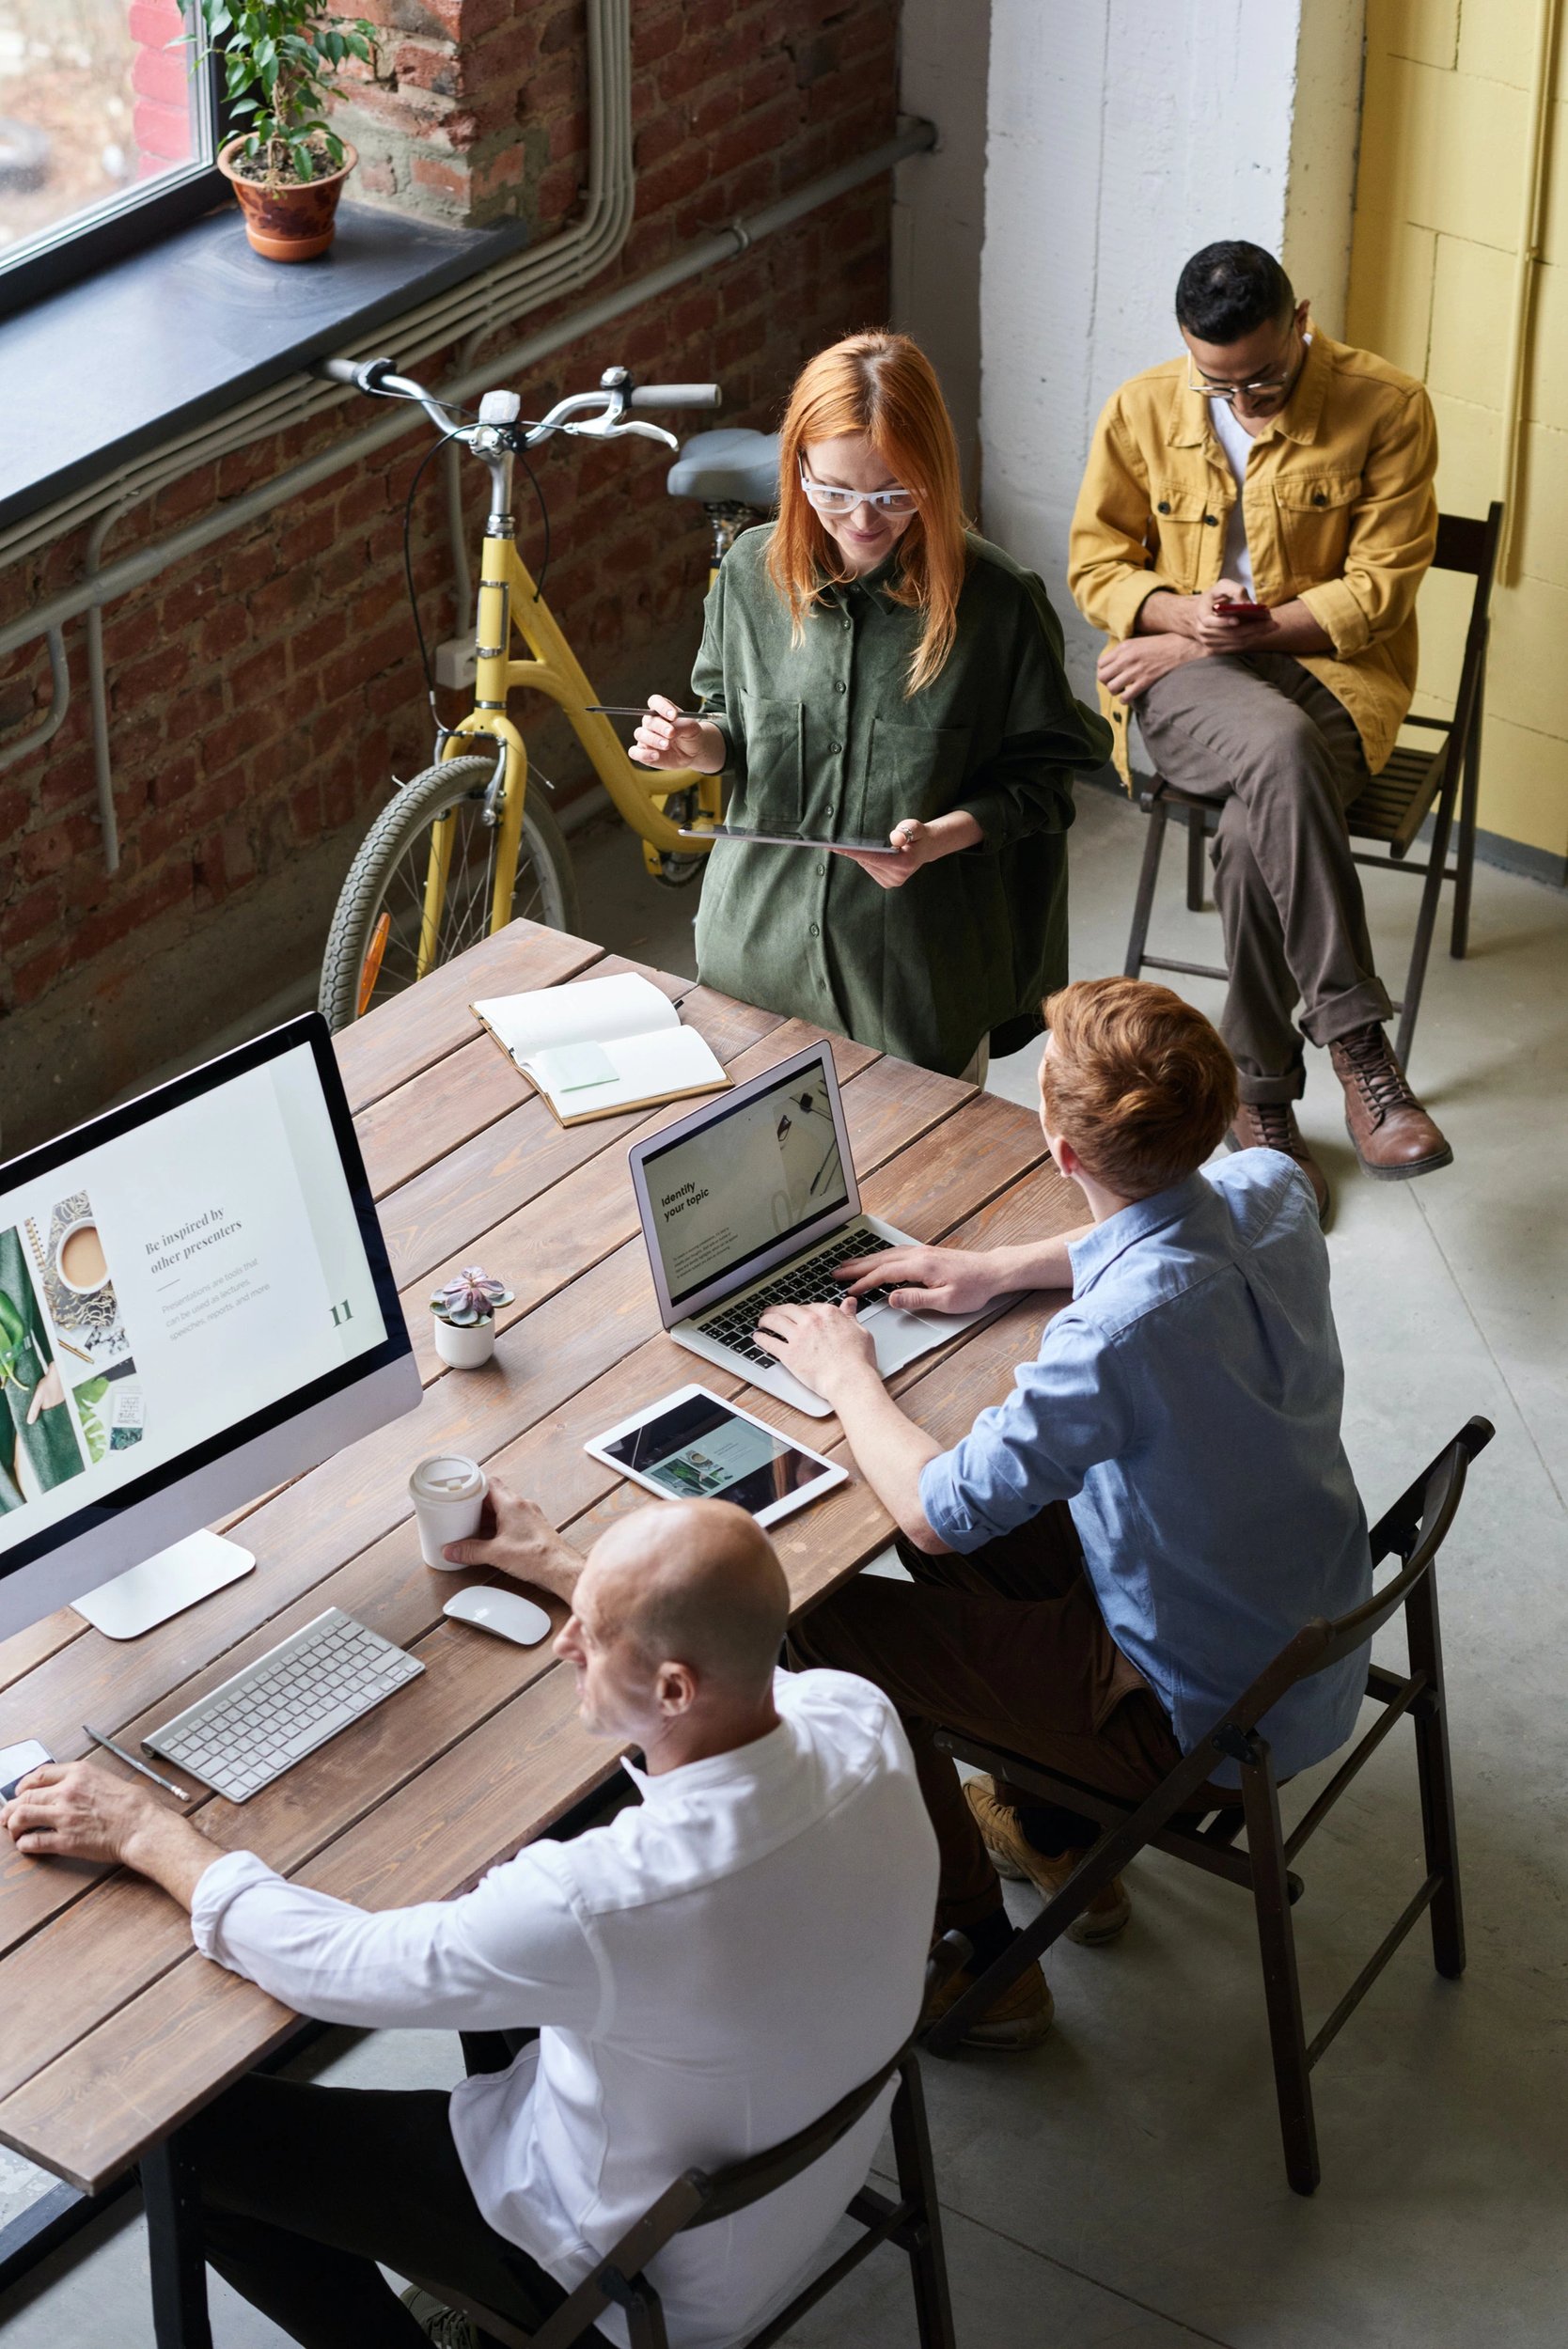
[{"x": 1007, "y": 1645}]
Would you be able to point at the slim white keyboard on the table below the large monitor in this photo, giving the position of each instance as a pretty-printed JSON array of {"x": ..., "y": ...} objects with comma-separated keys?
[{"x": 283, "y": 1707}]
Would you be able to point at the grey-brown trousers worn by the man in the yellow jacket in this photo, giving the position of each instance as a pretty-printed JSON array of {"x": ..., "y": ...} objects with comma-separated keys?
[{"x": 1264, "y": 736}]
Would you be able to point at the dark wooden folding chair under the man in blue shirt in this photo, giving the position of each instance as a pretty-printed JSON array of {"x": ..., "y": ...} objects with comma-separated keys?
[{"x": 1181, "y": 1817}]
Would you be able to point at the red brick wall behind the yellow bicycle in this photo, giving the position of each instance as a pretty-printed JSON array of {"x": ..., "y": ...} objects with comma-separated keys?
[{"x": 264, "y": 692}]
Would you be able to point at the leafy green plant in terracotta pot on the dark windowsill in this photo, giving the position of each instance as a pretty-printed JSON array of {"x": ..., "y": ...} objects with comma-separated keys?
[{"x": 279, "y": 62}]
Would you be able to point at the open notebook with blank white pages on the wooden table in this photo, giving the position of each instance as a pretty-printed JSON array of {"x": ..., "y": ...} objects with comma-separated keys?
[{"x": 603, "y": 1046}]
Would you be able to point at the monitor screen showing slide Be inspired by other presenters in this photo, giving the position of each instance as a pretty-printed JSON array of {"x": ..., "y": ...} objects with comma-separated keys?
[{"x": 166, "y": 1286}]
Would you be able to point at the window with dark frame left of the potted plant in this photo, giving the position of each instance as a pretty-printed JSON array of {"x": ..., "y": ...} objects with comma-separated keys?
[{"x": 107, "y": 137}]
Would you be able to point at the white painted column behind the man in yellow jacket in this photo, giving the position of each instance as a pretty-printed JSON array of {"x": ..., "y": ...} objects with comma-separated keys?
[{"x": 1123, "y": 137}]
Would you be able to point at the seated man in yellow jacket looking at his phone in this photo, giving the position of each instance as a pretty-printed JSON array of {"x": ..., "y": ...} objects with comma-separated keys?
[{"x": 1273, "y": 469}]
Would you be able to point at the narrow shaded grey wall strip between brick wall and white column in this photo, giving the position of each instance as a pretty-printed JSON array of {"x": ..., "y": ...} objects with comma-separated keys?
[{"x": 939, "y": 203}]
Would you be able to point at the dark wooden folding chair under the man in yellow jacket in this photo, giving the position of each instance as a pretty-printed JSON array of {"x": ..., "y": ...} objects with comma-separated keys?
[{"x": 1391, "y": 809}]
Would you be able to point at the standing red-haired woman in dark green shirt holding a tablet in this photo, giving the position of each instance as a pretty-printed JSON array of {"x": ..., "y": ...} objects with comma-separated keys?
[{"x": 871, "y": 671}]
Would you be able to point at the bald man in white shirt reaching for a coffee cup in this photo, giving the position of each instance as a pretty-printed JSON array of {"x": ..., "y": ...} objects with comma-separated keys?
[{"x": 671, "y": 1963}]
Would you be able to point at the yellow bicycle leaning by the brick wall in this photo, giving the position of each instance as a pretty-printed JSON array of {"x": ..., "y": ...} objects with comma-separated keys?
[{"x": 464, "y": 847}]
